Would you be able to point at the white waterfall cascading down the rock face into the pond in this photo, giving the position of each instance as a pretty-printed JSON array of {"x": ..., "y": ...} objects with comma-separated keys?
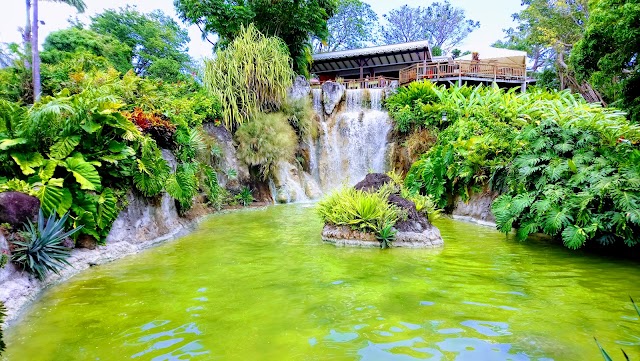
[{"x": 352, "y": 142}]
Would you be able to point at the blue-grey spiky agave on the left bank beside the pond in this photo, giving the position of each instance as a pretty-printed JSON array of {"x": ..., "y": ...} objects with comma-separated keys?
[{"x": 43, "y": 251}]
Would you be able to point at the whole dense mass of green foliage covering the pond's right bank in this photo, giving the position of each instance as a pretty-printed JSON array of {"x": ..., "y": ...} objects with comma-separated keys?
[{"x": 567, "y": 168}]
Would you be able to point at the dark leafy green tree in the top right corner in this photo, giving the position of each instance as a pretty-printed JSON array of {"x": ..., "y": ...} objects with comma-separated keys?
[{"x": 607, "y": 55}]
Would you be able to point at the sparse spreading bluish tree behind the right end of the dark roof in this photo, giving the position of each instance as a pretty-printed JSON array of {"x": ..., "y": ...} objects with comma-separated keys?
[{"x": 442, "y": 24}]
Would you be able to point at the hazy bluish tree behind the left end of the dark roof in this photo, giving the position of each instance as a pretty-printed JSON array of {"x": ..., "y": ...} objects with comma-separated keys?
[{"x": 353, "y": 26}]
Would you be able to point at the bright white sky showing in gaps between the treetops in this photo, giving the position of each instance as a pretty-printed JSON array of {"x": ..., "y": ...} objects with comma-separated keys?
[{"x": 494, "y": 15}]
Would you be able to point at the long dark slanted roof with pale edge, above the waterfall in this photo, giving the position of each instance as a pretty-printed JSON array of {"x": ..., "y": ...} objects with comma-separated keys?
[{"x": 374, "y": 57}]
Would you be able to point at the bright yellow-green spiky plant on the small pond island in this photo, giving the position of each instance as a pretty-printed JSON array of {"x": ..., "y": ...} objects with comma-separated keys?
[{"x": 360, "y": 210}]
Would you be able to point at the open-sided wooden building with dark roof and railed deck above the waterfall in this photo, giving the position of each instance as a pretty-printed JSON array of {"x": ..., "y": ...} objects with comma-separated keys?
[{"x": 408, "y": 62}]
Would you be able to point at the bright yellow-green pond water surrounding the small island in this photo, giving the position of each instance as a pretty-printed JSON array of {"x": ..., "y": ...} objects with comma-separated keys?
[{"x": 260, "y": 285}]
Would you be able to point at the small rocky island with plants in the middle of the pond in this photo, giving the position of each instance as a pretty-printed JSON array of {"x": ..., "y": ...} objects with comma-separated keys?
[{"x": 379, "y": 212}]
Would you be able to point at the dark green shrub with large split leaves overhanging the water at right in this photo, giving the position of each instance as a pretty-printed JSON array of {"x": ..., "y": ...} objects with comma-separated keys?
[{"x": 573, "y": 184}]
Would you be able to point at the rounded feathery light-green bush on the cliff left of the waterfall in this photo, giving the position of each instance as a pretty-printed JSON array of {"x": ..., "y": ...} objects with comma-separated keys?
[{"x": 266, "y": 140}]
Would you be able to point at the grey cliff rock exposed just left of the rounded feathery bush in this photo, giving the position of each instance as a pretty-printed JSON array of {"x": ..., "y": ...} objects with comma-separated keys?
[{"x": 229, "y": 159}]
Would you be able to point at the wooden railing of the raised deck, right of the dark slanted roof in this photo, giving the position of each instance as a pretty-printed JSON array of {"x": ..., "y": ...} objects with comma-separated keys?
[{"x": 489, "y": 70}]
